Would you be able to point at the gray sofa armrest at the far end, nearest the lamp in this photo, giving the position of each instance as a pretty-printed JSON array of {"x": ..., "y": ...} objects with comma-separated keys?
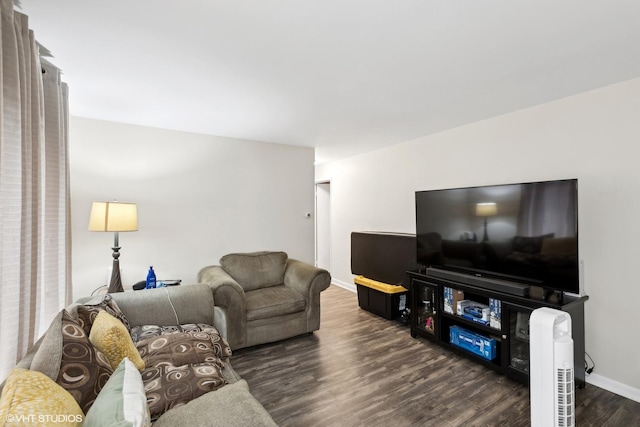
[{"x": 172, "y": 305}]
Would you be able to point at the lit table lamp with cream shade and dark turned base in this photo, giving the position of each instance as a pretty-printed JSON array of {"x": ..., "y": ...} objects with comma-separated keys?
[{"x": 116, "y": 217}]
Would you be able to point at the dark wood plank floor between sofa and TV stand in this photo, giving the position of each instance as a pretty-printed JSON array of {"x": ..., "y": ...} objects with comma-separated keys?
[{"x": 362, "y": 370}]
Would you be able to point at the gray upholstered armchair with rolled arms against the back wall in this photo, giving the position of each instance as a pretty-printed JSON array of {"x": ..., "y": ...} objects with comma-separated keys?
[{"x": 265, "y": 296}]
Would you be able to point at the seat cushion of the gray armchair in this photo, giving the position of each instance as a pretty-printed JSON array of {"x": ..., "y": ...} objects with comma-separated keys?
[{"x": 274, "y": 301}]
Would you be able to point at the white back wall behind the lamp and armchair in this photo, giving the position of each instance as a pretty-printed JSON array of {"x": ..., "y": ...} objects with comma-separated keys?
[{"x": 199, "y": 197}]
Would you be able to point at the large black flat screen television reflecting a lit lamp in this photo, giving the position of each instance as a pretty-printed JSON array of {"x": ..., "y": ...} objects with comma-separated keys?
[{"x": 525, "y": 233}]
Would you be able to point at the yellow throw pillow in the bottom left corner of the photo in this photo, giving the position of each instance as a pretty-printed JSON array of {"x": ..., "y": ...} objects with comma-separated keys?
[{"x": 32, "y": 398}]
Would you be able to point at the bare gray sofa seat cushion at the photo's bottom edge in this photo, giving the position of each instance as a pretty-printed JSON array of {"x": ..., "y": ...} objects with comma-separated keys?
[{"x": 233, "y": 405}]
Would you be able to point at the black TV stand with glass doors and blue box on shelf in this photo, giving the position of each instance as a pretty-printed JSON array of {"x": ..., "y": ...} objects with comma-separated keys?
[{"x": 494, "y": 330}]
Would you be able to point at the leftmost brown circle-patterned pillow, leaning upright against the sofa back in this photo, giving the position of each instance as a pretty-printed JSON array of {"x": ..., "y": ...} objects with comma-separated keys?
[{"x": 83, "y": 369}]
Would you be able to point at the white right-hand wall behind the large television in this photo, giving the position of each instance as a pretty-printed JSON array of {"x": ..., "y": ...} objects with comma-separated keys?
[{"x": 593, "y": 137}]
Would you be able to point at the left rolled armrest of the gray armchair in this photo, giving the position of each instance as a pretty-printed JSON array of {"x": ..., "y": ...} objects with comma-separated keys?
[{"x": 230, "y": 297}]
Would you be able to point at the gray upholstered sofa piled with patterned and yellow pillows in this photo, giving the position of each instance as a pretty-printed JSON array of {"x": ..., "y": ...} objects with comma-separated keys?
[{"x": 230, "y": 405}]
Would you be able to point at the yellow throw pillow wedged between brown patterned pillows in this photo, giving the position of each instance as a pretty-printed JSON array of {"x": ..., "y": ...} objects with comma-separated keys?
[{"x": 111, "y": 337}]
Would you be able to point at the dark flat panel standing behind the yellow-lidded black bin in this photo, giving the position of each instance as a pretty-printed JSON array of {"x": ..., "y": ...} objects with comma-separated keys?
[{"x": 383, "y": 256}]
